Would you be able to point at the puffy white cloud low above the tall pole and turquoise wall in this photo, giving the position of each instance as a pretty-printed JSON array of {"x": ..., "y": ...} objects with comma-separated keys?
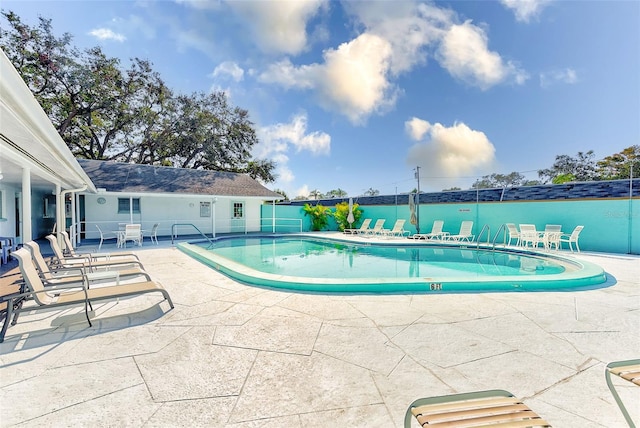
[{"x": 452, "y": 152}]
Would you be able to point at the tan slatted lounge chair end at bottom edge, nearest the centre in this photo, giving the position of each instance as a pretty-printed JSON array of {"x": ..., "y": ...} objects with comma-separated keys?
[{"x": 474, "y": 409}]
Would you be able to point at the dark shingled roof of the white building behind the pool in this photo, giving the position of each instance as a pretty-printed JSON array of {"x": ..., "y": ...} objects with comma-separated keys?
[{"x": 133, "y": 178}]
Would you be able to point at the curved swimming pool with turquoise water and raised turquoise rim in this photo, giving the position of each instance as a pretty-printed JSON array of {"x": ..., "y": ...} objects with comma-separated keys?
[{"x": 319, "y": 264}]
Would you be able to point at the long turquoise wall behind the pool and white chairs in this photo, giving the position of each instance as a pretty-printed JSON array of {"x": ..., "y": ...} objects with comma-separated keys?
[{"x": 610, "y": 225}]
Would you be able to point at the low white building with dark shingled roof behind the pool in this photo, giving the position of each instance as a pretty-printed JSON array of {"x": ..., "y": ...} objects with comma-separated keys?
[{"x": 180, "y": 200}]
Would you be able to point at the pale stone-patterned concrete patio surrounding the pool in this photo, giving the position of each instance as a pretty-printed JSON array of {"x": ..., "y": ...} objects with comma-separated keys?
[{"x": 231, "y": 355}]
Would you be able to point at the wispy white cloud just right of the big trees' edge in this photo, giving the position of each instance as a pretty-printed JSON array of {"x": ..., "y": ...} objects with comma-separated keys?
[{"x": 277, "y": 140}]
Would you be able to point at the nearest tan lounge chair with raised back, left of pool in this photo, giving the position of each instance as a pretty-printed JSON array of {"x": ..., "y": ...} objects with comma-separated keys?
[{"x": 51, "y": 297}]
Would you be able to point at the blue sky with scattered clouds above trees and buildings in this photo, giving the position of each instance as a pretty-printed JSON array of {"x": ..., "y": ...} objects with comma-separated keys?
[{"x": 356, "y": 94}]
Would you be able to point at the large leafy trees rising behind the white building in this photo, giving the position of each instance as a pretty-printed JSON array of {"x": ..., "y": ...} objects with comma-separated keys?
[{"x": 105, "y": 112}]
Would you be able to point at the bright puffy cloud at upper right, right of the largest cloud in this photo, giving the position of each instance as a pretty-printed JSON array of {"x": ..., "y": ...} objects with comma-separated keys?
[{"x": 464, "y": 53}]
